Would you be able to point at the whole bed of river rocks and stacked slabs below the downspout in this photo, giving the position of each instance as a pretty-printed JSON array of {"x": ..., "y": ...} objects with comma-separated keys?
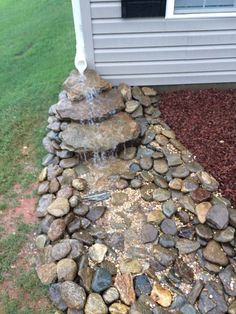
[{"x": 160, "y": 240}]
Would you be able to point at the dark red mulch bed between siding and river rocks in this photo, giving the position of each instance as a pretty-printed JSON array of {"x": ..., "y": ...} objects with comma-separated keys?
[{"x": 205, "y": 122}]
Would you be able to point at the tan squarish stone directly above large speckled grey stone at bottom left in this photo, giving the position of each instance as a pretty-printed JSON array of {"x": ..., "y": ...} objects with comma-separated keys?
[{"x": 66, "y": 269}]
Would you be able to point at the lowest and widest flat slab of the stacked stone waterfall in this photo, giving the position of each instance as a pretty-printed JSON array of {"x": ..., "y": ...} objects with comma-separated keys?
[{"x": 104, "y": 136}]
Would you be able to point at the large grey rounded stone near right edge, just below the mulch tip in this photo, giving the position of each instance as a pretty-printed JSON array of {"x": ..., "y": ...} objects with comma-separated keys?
[{"x": 218, "y": 217}]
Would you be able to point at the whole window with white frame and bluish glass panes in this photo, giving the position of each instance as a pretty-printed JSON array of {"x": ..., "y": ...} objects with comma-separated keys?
[{"x": 200, "y": 8}]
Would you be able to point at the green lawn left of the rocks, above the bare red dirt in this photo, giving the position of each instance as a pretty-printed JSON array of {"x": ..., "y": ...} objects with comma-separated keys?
[{"x": 36, "y": 55}]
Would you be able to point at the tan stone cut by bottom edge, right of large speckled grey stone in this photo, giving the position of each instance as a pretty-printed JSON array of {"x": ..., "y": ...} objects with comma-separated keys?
[{"x": 95, "y": 305}]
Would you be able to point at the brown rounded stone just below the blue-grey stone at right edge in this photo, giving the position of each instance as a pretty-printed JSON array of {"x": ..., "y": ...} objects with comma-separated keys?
[{"x": 213, "y": 253}]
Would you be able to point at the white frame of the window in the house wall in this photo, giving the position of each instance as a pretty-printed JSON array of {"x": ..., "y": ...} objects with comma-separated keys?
[{"x": 170, "y": 13}]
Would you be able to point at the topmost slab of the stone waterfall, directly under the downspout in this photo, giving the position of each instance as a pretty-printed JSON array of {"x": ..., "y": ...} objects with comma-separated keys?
[{"x": 78, "y": 87}]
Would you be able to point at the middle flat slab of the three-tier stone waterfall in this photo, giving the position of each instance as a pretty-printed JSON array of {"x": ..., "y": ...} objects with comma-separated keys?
[{"x": 101, "y": 107}]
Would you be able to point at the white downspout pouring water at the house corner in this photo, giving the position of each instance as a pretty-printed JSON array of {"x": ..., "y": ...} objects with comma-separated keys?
[{"x": 80, "y": 57}]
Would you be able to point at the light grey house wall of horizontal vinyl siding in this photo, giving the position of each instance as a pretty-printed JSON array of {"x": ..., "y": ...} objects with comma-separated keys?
[{"x": 158, "y": 51}]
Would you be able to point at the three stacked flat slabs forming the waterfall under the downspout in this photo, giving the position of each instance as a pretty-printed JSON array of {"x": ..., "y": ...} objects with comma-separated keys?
[{"x": 91, "y": 117}]
